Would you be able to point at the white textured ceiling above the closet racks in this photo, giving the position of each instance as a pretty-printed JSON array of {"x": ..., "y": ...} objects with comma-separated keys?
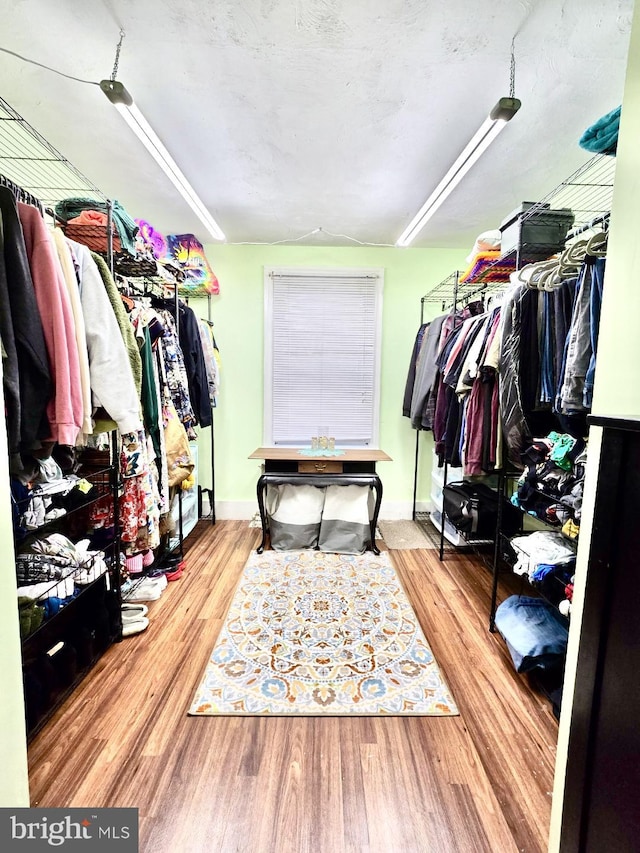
[{"x": 333, "y": 114}]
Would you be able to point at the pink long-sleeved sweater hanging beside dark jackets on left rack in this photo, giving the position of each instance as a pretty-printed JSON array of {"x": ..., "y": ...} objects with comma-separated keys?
[{"x": 65, "y": 408}]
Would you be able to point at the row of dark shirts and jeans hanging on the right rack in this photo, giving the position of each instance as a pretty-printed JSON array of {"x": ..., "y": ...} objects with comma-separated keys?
[{"x": 520, "y": 370}]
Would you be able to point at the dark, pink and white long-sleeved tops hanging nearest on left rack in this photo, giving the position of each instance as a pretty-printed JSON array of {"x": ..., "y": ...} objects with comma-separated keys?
[{"x": 64, "y": 355}]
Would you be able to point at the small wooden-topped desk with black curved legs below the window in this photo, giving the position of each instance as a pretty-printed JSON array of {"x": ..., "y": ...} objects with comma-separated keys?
[{"x": 288, "y": 465}]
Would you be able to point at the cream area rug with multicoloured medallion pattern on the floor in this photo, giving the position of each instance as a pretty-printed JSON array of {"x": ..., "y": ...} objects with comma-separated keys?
[{"x": 310, "y": 633}]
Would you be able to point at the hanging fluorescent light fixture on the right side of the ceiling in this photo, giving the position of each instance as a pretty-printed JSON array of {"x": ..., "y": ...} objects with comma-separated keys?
[{"x": 503, "y": 111}]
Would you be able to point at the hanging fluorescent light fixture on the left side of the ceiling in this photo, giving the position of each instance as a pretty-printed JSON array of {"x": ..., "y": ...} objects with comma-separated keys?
[{"x": 123, "y": 102}]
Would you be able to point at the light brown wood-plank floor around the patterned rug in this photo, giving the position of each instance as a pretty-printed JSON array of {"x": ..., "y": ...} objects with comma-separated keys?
[{"x": 478, "y": 782}]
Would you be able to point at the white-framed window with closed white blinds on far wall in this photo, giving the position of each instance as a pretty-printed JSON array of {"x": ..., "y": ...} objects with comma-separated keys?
[{"x": 322, "y": 355}]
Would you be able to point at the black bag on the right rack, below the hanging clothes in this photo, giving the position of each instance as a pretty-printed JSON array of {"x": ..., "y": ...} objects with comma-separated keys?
[{"x": 472, "y": 508}]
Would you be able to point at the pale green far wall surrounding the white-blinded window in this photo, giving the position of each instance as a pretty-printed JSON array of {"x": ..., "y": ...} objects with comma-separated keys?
[{"x": 238, "y": 316}]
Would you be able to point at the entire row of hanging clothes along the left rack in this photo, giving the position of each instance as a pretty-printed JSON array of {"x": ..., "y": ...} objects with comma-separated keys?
[{"x": 76, "y": 366}]
